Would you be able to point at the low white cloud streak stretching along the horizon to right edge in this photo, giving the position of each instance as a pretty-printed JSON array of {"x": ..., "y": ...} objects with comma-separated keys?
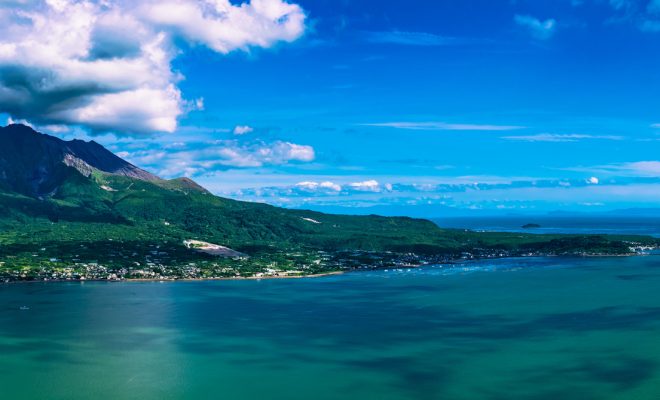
[{"x": 530, "y": 192}]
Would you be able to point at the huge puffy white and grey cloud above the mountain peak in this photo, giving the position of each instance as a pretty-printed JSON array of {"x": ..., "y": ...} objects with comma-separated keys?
[{"x": 107, "y": 64}]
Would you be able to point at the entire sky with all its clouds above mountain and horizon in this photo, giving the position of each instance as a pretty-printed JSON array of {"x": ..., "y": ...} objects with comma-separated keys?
[{"x": 307, "y": 102}]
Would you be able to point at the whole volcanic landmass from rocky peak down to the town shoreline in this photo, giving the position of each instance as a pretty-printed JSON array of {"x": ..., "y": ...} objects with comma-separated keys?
[{"x": 72, "y": 210}]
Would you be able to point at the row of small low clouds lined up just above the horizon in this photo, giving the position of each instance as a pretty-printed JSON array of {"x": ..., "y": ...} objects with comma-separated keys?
[{"x": 450, "y": 191}]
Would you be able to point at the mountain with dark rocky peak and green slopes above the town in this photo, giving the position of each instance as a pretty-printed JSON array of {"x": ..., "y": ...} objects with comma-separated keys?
[{"x": 43, "y": 177}]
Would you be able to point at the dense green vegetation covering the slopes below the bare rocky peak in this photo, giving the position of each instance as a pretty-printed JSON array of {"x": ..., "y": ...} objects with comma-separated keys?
[{"x": 124, "y": 224}]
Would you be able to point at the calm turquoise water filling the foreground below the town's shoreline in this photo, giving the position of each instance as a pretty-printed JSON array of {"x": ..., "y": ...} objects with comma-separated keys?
[{"x": 545, "y": 328}]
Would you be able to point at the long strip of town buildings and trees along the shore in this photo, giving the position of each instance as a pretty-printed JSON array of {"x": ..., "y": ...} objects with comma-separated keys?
[{"x": 161, "y": 263}]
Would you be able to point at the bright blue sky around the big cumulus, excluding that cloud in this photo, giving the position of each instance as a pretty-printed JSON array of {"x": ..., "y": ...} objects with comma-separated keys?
[{"x": 496, "y": 105}]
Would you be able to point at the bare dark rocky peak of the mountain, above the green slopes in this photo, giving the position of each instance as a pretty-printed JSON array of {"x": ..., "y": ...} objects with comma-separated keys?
[{"x": 36, "y": 165}]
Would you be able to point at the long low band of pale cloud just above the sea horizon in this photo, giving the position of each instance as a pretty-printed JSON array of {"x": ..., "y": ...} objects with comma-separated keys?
[{"x": 455, "y": 195}]
